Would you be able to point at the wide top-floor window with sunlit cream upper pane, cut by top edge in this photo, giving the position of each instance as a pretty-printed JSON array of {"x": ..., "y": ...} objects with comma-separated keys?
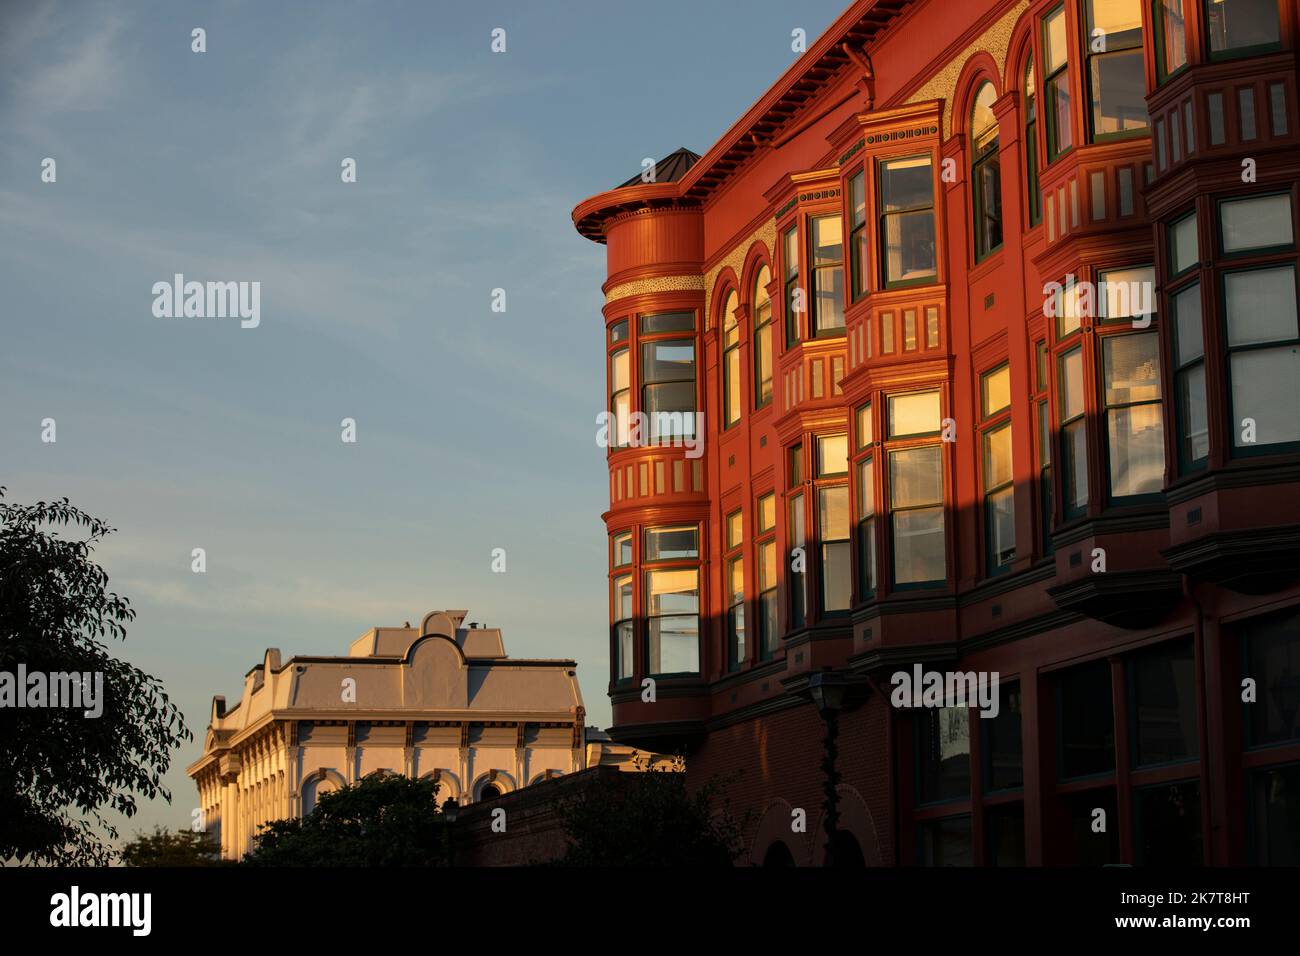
[{"x": 1117, "y": 81}]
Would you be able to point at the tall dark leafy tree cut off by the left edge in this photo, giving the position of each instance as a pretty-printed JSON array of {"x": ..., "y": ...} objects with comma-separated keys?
[{"x": 64, "y": 769}]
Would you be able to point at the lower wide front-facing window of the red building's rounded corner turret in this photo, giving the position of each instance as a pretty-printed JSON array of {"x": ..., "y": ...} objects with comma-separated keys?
[{"x": 673, "y": 600}]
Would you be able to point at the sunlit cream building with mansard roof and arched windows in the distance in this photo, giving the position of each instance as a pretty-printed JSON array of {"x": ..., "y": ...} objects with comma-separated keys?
[{"x": 441, "y": 700}]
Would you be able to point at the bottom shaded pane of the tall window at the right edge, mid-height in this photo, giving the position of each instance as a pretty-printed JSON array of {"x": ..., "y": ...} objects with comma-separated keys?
[{"x": 1267, "y": 391}]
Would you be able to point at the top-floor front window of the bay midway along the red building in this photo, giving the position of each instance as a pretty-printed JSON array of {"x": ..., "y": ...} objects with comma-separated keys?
[{"x": 908, "y": 220}]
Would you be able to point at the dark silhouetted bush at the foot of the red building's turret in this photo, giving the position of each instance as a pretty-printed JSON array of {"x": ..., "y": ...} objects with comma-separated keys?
[{"x": 651, "y": 820}]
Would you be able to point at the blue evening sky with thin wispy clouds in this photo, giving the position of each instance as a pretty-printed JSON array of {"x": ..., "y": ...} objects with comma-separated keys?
[{"x": 475, "y": 430}]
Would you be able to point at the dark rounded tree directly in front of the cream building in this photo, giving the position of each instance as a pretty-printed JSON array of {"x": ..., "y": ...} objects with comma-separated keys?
[{"x": 384, "y": 820}]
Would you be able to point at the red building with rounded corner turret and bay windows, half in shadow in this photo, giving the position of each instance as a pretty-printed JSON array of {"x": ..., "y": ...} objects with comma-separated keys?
[{"x": 917, "y": 451}]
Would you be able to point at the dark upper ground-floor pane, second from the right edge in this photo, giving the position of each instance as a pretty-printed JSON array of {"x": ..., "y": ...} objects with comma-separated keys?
[{"x": 1165, "y": 706}]
